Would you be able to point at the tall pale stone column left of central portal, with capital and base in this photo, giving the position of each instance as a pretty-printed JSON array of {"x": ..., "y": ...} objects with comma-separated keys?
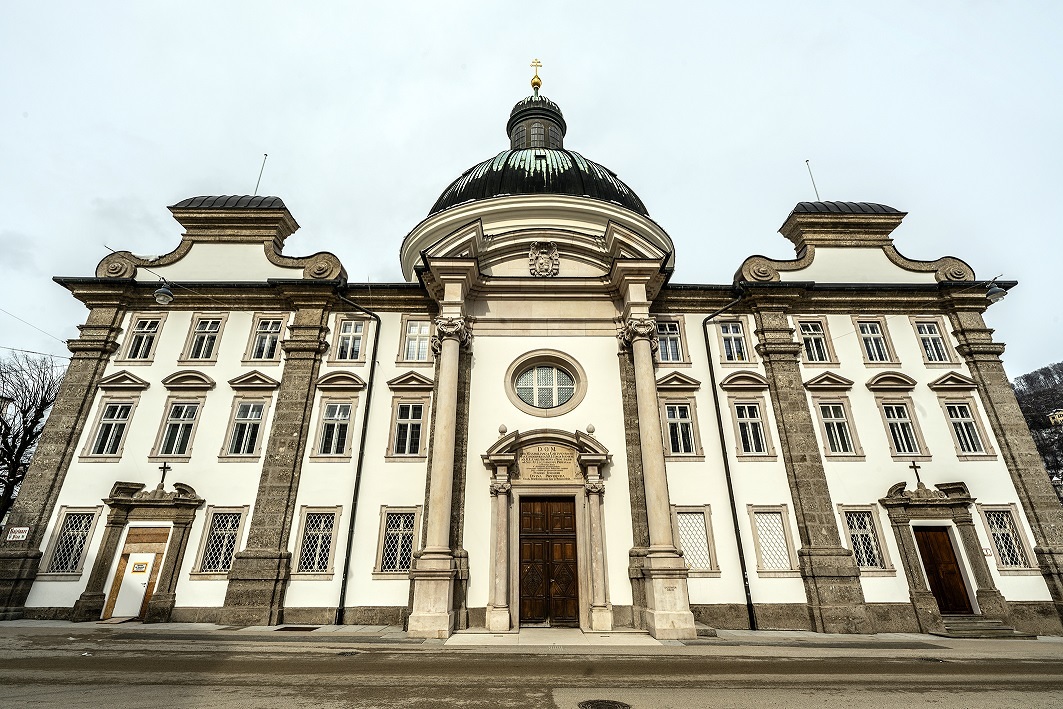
[{"x": 433, "y": 576}]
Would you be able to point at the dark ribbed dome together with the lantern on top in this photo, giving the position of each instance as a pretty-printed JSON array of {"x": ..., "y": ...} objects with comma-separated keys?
[{"x": 537, "y": 163}]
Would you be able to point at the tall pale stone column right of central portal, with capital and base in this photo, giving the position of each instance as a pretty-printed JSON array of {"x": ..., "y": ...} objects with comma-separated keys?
[{"x": 668, "y": 604}]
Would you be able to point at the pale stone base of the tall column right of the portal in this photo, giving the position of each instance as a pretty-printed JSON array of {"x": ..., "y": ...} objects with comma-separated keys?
[{"x": 667, "y": 615}]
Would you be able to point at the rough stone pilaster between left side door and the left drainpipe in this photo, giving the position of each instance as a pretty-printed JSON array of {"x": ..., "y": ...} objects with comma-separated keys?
[{"x": 260, "y": 575}]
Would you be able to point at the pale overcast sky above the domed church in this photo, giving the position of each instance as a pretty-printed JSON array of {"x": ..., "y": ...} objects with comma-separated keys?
[{"x": 949, "y": 111}]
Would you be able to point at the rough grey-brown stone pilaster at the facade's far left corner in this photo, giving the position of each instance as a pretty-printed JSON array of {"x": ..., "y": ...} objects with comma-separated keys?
[{"x": 20, "y": 561}]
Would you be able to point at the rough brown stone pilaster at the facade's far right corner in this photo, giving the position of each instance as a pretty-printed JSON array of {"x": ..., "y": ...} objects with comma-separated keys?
[{"x": 1017, "y": 446}]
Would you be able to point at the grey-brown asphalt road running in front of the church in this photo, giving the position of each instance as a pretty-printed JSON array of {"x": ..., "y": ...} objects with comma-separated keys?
[{"x": 112, "y": 670}]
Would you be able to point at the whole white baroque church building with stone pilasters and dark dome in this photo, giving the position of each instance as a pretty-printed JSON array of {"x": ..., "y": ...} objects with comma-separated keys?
[{"x": 537, "y": 429}]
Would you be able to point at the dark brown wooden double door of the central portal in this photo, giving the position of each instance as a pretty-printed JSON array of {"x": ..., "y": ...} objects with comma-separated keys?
[{"x": 549, "y": 577}]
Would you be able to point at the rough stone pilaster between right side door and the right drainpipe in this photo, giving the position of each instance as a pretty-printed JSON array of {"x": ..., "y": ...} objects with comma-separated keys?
[{"x": 836, "y": 601}]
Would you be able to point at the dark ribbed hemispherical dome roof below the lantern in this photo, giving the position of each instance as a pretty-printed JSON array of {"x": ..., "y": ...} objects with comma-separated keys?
[{"x": 539, "y": 172}]
